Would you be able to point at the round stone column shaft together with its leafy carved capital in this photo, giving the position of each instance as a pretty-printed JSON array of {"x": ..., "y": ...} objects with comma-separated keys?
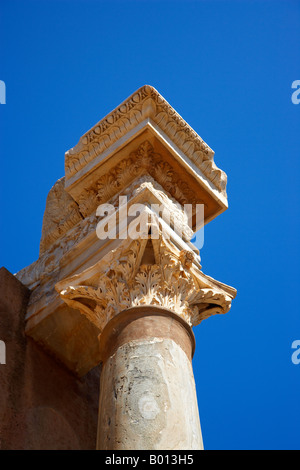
[{"x": 144, "y": 297}]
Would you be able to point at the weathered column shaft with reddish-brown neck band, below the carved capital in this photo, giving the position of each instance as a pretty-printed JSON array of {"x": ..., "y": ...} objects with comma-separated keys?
[{"x": 148, "y": 397}]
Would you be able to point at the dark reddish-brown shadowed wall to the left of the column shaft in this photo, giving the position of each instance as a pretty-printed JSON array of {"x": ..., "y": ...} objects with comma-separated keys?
[{"x": 42, "y": 405}]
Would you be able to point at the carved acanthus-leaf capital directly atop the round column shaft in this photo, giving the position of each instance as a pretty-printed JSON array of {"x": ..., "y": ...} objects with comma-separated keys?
[{"x": 121, "y": 281}]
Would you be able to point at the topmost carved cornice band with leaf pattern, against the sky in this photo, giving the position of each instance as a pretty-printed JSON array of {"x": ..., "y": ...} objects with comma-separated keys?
[{"x": 145, "y": 102}]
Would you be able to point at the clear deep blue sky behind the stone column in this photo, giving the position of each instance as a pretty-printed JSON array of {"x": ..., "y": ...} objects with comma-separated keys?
[{"x": 227, "y": 68}]
